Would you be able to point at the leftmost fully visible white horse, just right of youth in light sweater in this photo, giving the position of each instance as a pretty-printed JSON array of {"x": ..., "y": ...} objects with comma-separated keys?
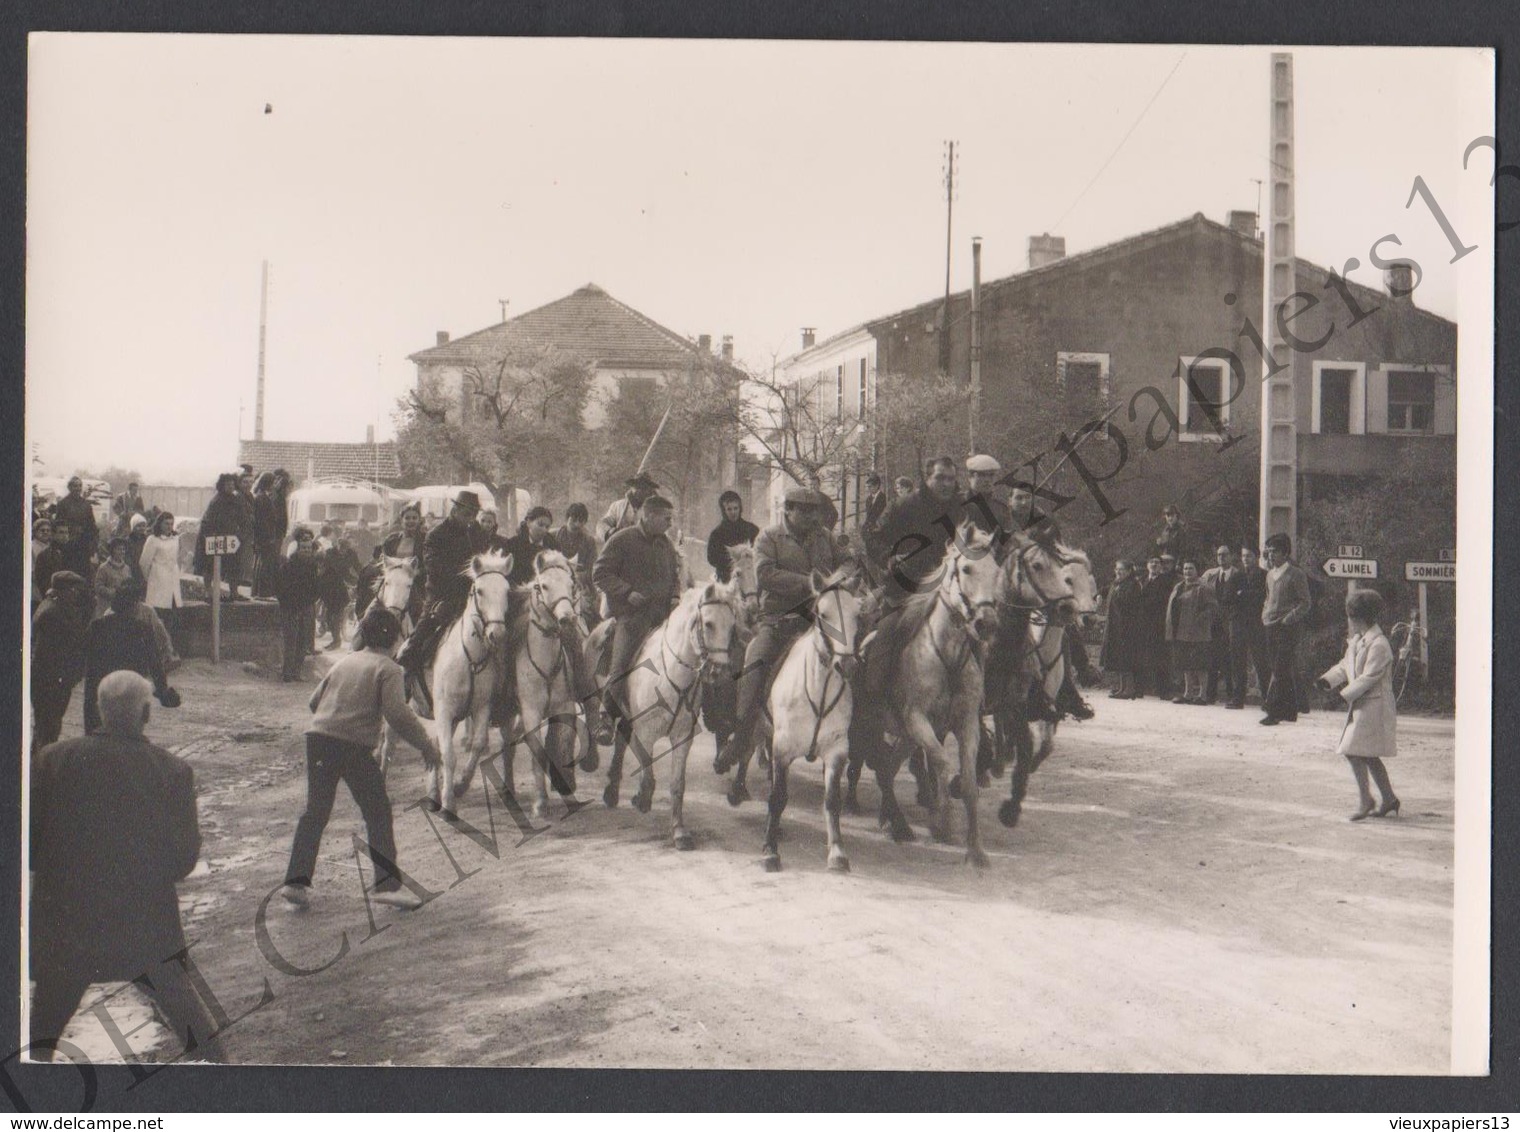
[{"x": 466, "y": 672}]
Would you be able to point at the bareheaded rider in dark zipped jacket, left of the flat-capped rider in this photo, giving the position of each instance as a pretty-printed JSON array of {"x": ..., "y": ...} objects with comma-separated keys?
[{"x": 639, "y": 574}]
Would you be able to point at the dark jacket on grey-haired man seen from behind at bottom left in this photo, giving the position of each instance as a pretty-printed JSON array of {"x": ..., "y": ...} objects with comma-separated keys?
[{"x": 113, "y": 829}]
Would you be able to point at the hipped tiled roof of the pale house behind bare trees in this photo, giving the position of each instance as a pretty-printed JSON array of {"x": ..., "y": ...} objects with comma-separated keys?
[{"x": 587, "y": 323}]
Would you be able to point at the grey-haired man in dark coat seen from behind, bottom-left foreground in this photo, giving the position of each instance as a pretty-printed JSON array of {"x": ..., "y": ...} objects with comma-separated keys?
[{"x": 113, "y": 829}]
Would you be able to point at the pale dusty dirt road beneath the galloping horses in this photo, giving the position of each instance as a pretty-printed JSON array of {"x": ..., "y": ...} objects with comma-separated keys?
[{"x": 1183, "y": 894}]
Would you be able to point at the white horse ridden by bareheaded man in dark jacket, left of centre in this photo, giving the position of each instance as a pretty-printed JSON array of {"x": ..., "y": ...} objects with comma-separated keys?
[{"x": 663, "y": 694}]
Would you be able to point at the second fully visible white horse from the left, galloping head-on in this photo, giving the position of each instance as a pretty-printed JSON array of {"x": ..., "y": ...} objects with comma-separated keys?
[{"x": 546, "y": 704}]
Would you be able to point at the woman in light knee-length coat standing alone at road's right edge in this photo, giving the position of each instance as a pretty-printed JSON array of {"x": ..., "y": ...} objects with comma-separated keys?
[{"x": 1366, "y": 680}]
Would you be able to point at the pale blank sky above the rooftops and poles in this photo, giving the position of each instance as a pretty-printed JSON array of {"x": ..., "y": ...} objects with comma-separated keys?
[{"x": 402, "y": 186}]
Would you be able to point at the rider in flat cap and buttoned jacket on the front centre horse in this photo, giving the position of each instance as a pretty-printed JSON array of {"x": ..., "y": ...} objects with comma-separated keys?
[{"x": 787, "y": 557}]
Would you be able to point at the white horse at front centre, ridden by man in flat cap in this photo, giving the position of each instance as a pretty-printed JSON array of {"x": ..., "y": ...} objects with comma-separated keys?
[{"x": 809, "y": 709}]
